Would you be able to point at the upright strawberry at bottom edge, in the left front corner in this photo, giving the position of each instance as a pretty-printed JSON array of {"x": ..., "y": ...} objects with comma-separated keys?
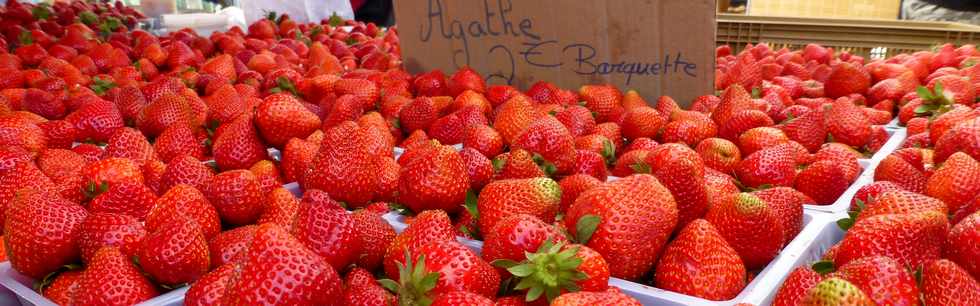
[{"x": 112, "y": 279}]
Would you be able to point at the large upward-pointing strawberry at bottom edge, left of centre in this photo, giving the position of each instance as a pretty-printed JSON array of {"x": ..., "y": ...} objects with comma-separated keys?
[{"x": 274, "y": 259}]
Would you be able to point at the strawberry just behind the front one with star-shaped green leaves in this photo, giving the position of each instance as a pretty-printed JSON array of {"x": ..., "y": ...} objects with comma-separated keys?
[{"x": 517, "y": 234}]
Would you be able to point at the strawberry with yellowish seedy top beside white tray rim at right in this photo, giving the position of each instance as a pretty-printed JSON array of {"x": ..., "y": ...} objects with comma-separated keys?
[{"x": 742, "y": 219}]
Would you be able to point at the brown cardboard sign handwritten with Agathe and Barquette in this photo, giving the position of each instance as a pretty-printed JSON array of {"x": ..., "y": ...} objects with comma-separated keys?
[{"x": 658, "y": 47}]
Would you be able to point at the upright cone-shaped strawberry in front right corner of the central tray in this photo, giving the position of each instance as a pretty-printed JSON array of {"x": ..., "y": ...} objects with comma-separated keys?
[{"x": 697, "y": 254}]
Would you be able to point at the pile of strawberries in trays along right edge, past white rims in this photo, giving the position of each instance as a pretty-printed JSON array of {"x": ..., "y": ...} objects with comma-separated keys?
[{"x": 912, "y": 235}]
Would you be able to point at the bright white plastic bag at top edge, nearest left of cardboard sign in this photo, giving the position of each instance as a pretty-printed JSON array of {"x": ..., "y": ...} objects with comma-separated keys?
[{"x": 298, "y": 10}]
